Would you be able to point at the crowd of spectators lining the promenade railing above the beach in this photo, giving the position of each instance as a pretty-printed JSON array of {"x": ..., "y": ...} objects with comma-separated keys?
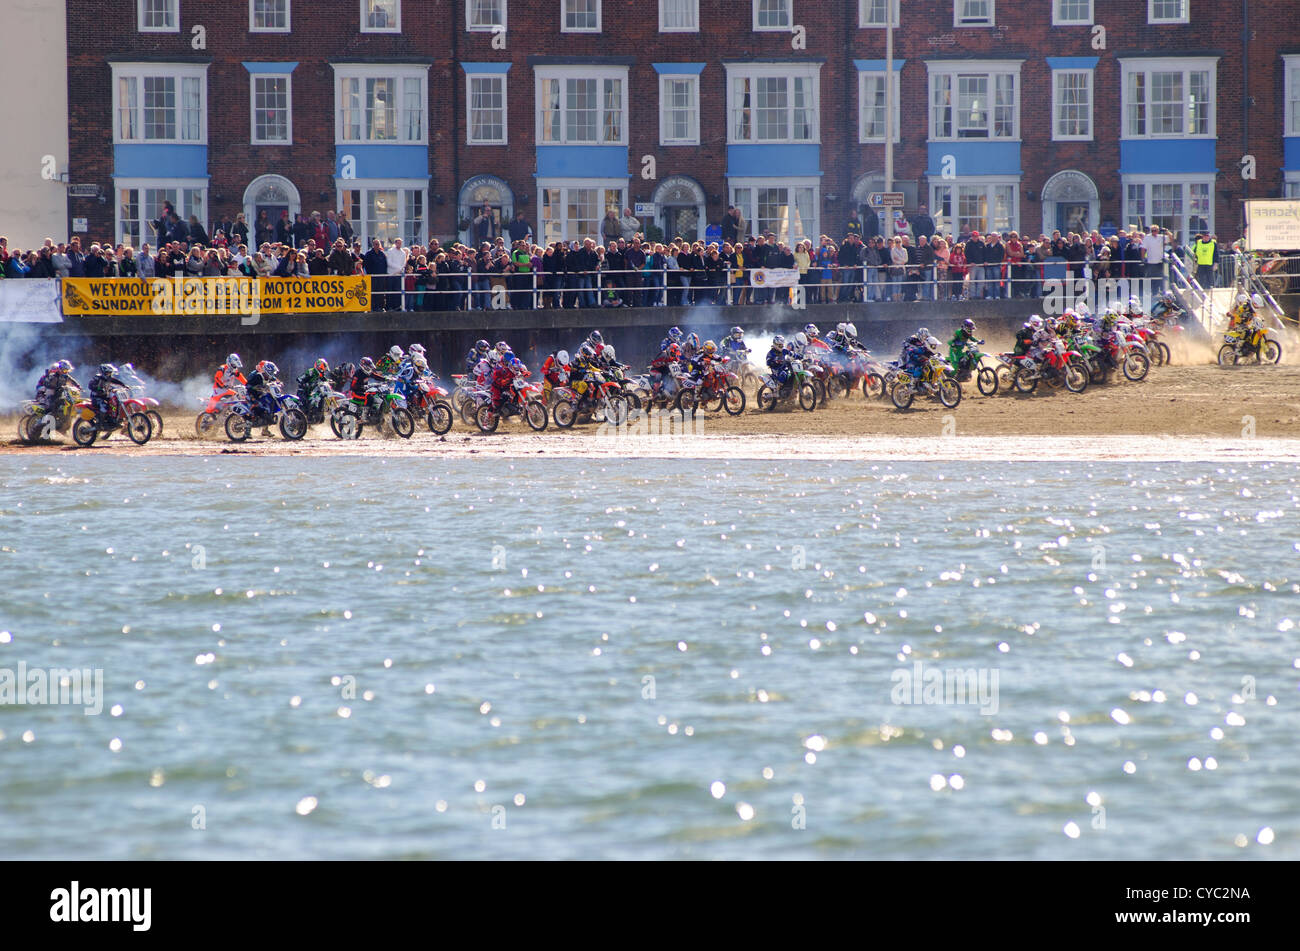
[{"x": 506, "y": 267}]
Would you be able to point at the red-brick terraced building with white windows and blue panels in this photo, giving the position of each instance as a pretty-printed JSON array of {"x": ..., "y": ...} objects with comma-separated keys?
[{"x": 411, "y": 115}]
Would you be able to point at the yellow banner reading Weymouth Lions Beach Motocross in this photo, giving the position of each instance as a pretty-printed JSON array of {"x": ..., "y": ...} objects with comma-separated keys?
[{"x": 244, "y": 297}]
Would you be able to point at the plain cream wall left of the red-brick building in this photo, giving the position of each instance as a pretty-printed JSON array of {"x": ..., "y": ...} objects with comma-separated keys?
[{"x": 34, "y": 80}]
